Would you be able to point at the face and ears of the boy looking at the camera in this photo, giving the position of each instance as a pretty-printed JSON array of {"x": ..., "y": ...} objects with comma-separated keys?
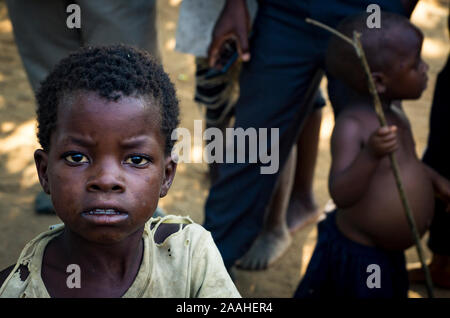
[{"x": 106, "y": 167}]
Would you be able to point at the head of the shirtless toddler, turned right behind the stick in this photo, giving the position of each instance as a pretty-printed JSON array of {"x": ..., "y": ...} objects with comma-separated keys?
[{"x": 392, "y": 52}]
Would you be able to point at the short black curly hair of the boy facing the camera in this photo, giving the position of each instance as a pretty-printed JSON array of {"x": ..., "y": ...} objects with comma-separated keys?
[{"x": 110, "y": 71}]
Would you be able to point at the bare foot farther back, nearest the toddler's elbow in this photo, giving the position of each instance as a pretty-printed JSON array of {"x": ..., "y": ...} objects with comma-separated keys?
[{"x": 301, "y": 213}]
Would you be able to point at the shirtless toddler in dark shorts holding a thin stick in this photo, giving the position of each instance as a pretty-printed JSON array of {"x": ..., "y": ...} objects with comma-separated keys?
[{"x": 360, "y": 249}]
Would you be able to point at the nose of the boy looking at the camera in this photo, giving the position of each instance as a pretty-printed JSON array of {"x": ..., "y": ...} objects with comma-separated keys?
[{"x": 106, "y": 179}]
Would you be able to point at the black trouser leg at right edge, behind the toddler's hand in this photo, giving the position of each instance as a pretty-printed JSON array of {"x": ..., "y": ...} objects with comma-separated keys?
[{"x": 437, "y": 157}]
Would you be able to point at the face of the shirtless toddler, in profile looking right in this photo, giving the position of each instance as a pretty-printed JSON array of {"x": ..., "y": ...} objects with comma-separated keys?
[{"x": 407, "y": 78}]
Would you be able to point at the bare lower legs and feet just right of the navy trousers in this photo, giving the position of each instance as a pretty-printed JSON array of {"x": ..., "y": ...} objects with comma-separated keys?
[{"x": 294, "y": 185}]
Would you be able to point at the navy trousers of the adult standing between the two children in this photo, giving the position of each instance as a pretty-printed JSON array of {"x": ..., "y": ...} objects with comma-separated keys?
[{"x": 286, "y": 56}]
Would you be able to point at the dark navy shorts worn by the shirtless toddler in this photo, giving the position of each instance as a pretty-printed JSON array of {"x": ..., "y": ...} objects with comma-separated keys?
[{"x": 343, "y": 268}]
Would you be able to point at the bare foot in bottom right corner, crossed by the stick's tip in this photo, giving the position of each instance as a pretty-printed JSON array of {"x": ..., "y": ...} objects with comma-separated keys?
[{"x": 439, "y": 270}]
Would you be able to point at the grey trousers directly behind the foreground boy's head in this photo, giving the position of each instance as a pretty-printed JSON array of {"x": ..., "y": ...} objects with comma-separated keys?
[{"x": 43, "y": 37}]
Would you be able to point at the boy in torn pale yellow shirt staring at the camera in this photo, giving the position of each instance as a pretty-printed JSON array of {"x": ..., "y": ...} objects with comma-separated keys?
[{"x": 105, "y": 118}]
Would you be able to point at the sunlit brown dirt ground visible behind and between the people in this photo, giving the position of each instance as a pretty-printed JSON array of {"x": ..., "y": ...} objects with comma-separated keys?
[{"x": 19, "y": 183}]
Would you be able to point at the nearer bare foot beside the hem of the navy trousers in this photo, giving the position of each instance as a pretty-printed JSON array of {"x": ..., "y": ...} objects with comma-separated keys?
[{"x": 265, "y": 250}]
